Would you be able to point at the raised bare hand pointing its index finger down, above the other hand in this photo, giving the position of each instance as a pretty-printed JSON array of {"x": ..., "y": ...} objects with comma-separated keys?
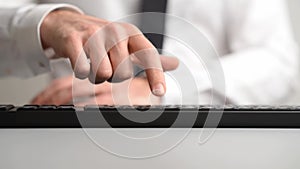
[{"x": 111, "y": 48}]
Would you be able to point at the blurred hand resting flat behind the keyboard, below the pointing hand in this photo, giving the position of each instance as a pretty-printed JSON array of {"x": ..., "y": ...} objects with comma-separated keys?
[{"x": 66, "y": 89}]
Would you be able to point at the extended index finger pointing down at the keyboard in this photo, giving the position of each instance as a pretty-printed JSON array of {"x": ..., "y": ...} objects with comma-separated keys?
[{"x": 149, "y": 58}]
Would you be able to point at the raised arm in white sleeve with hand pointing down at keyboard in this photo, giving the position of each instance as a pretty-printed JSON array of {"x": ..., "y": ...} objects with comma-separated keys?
[{"x": 110, "y": 47}]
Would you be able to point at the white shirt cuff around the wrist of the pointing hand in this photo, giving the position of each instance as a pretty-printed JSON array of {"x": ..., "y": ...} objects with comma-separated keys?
[{"x": 26, "y": 32}]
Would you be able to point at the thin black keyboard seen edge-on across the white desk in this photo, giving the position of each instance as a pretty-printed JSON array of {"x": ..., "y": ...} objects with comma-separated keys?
[{"x": 196, "y": 116}]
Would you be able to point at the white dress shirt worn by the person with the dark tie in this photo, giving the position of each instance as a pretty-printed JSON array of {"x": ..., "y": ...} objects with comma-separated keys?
[{"x": 253, "y": 38}]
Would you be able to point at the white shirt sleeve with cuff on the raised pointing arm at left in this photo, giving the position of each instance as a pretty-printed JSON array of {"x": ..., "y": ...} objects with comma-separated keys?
[{"x": 21, "y": 51}]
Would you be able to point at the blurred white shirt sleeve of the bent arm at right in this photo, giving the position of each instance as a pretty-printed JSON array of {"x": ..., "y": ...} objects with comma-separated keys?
[{"x": 263, "y": 63}]
